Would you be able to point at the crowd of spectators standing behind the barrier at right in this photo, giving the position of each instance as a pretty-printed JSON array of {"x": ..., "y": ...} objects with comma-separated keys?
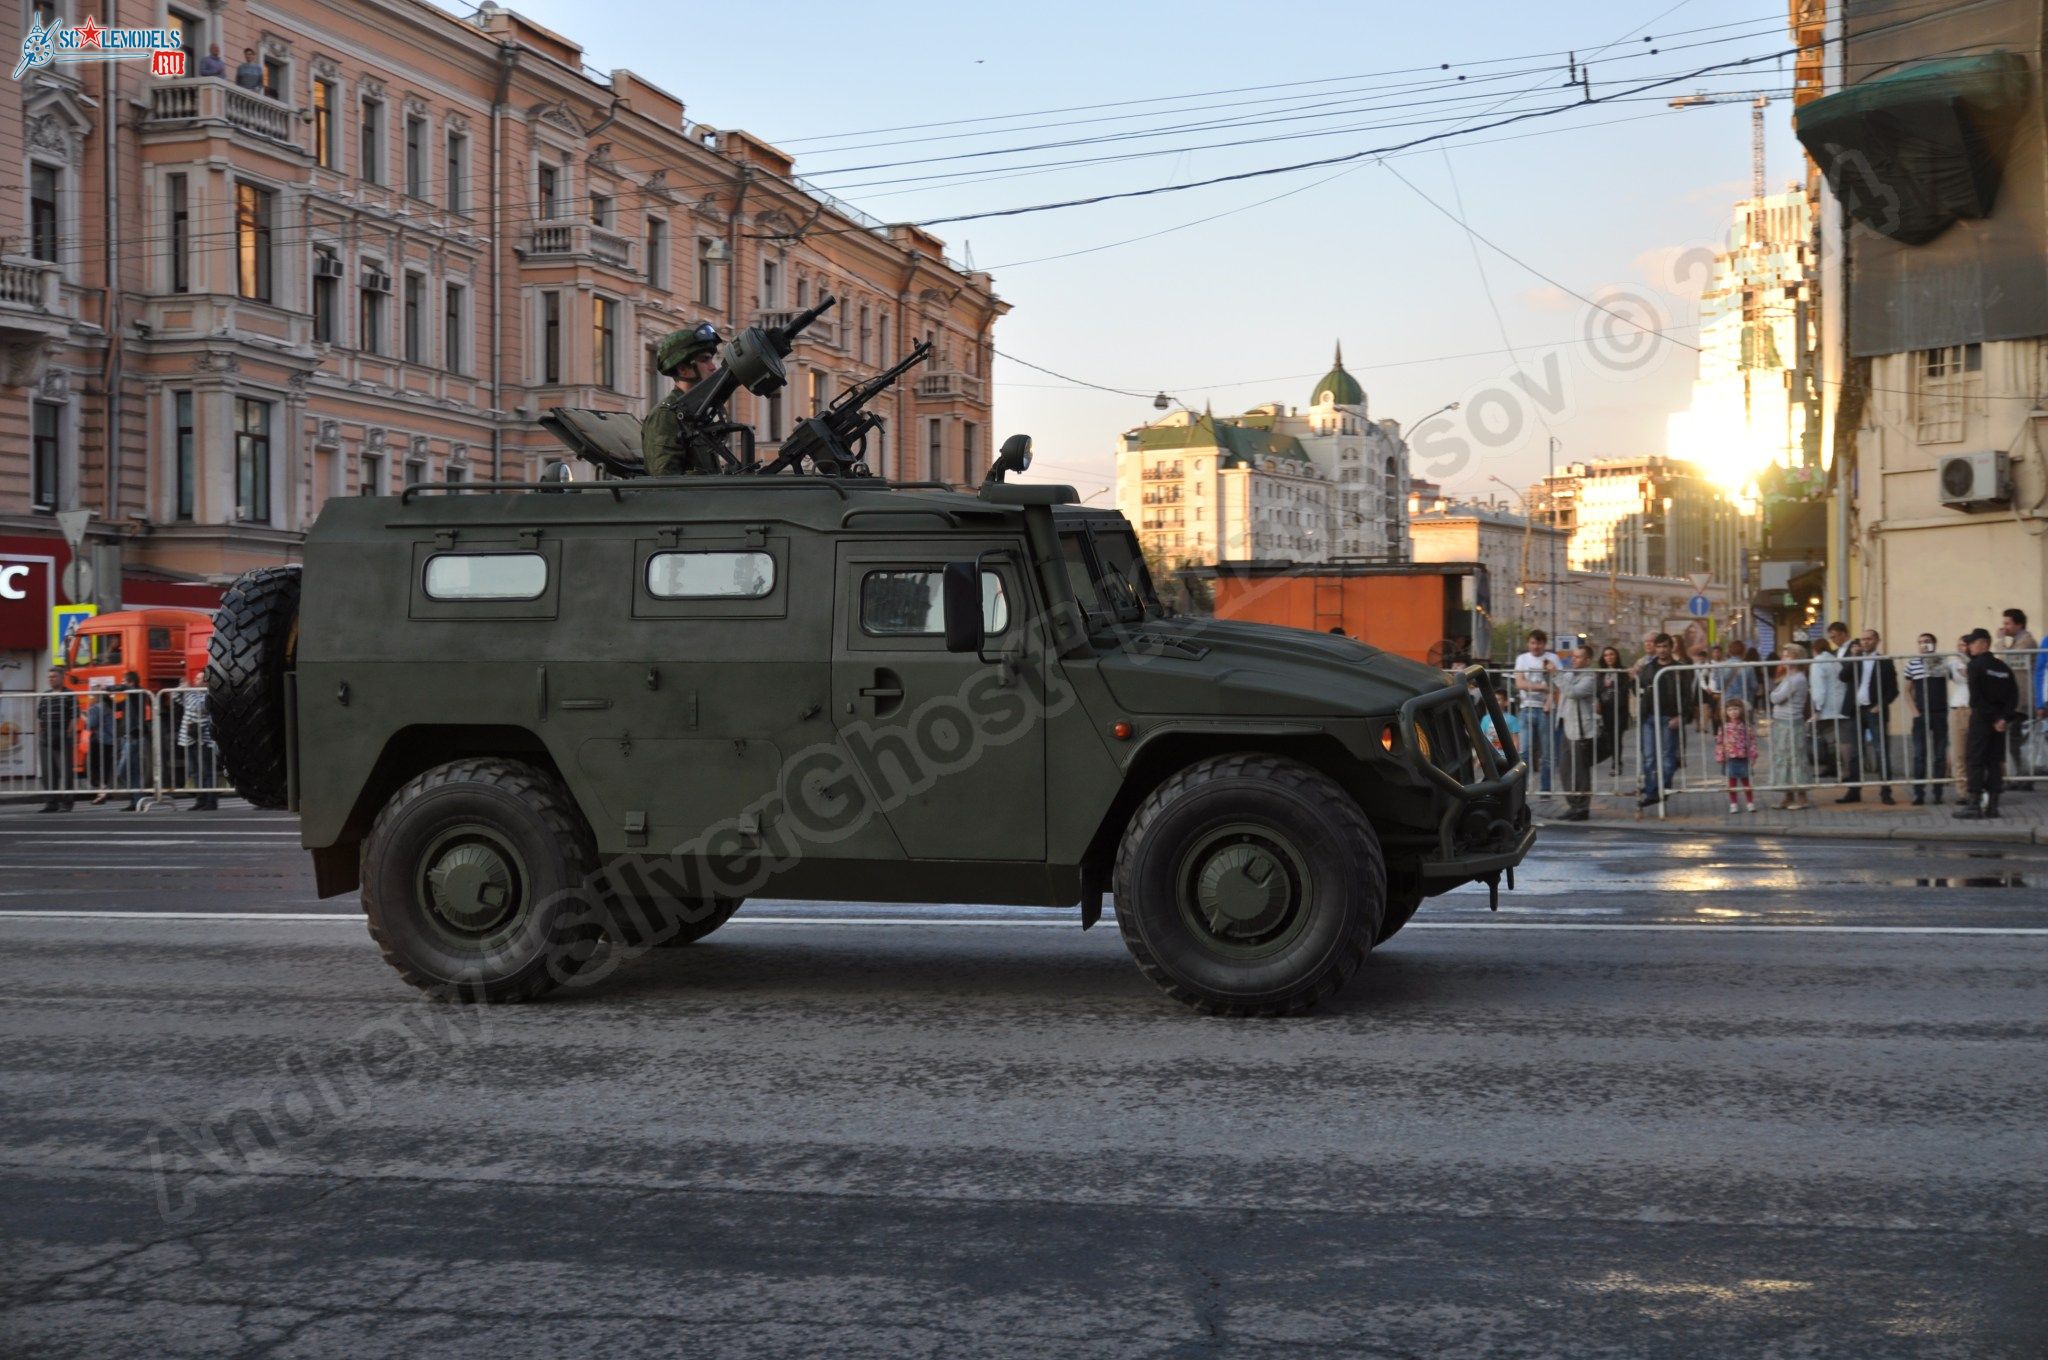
[{"x": 1844, "y": 712}]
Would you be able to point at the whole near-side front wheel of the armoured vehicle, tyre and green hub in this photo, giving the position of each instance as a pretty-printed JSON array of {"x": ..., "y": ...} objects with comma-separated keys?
[{"x": 1250, "y": 886}]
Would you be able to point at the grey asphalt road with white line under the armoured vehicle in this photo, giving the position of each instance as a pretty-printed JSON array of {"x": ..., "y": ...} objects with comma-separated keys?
[{"x": 1680, "y": 1097}]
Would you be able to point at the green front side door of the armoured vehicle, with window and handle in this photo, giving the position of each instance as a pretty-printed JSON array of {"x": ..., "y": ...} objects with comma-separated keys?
[{"x": 949, "y": 749}]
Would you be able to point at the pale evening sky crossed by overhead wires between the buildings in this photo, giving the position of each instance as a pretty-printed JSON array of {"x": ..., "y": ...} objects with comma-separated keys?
[{"x": 1582, "y": 230}]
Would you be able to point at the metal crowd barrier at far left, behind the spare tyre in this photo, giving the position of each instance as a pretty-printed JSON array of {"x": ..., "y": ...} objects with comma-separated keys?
[{"x": 108, "y": 747}]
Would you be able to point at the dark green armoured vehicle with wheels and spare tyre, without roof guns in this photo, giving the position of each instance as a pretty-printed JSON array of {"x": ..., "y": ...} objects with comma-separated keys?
[{"x": 546, "y": 726}]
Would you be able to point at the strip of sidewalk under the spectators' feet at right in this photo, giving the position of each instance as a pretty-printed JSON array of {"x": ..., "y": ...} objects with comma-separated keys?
[{"x": 2022, "y": 818}]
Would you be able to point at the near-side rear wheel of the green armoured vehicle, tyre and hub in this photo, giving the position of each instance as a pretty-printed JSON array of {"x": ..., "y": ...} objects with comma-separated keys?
[{"x": 476, "y": 882}]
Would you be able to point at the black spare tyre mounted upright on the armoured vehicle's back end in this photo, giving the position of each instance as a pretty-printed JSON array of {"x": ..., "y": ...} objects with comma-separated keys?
[{"x": 255, "y": 646}]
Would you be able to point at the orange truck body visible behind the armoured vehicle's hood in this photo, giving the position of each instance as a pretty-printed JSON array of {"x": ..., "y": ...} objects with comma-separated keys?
[{"x": 1414, "y": 609}]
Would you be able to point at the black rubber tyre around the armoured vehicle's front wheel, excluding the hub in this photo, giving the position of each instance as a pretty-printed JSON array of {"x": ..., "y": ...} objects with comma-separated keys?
[{"x": 1302, "y": 779}]
